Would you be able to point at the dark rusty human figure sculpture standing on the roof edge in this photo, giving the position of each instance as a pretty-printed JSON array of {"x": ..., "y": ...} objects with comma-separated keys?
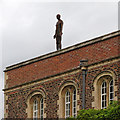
[{"x": 58, "y": 32}]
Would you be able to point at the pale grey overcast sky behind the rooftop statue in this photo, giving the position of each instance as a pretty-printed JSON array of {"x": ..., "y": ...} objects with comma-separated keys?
[{"x": 27, "y": 27}]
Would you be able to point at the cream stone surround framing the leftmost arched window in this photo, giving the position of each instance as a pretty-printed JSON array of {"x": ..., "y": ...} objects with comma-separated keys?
[{"x": 30, "y": 98}]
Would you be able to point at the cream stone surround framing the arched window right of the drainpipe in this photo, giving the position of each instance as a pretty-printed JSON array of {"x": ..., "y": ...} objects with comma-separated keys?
[{"x": 97, "y": 86}]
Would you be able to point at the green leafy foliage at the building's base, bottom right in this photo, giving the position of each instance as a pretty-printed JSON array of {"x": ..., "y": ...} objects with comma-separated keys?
[{"x": 112, "y": 112}]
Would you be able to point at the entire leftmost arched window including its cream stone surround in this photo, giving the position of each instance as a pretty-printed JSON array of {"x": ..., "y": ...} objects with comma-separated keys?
[{"x": 35, "y": 106}]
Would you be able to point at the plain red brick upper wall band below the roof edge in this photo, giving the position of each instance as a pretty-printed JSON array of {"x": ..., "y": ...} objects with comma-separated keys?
[{"x": 53, "y": 65}]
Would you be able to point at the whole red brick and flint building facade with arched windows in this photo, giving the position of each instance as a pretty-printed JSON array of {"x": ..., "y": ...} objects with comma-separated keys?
[{"x": 51, "y": 86}]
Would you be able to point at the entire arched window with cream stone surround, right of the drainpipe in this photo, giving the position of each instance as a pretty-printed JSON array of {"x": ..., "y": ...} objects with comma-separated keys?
[{"x": 104, "y": 89}]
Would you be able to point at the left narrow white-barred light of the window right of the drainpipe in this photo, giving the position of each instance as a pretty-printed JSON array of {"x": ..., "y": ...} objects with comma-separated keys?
[{"x": 103, "y": 95}]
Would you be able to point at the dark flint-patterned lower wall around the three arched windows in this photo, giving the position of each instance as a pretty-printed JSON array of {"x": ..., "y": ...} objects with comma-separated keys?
[{"x": 17, "y": 97}]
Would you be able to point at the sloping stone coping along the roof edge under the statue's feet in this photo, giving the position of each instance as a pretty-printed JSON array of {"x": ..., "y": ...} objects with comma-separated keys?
[{"x": 73, "y": 47}]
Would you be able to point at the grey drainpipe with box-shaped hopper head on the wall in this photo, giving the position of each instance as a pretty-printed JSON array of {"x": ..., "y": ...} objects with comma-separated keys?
[{"x": 83, "y": 66}]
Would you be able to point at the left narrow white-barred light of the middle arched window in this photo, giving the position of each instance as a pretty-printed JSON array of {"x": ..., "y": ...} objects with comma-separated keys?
[{"x": 67, "y": 104}]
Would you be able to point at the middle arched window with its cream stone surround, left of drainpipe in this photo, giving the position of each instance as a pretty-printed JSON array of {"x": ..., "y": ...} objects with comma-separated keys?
[{"x": 68, "y": 100}]
